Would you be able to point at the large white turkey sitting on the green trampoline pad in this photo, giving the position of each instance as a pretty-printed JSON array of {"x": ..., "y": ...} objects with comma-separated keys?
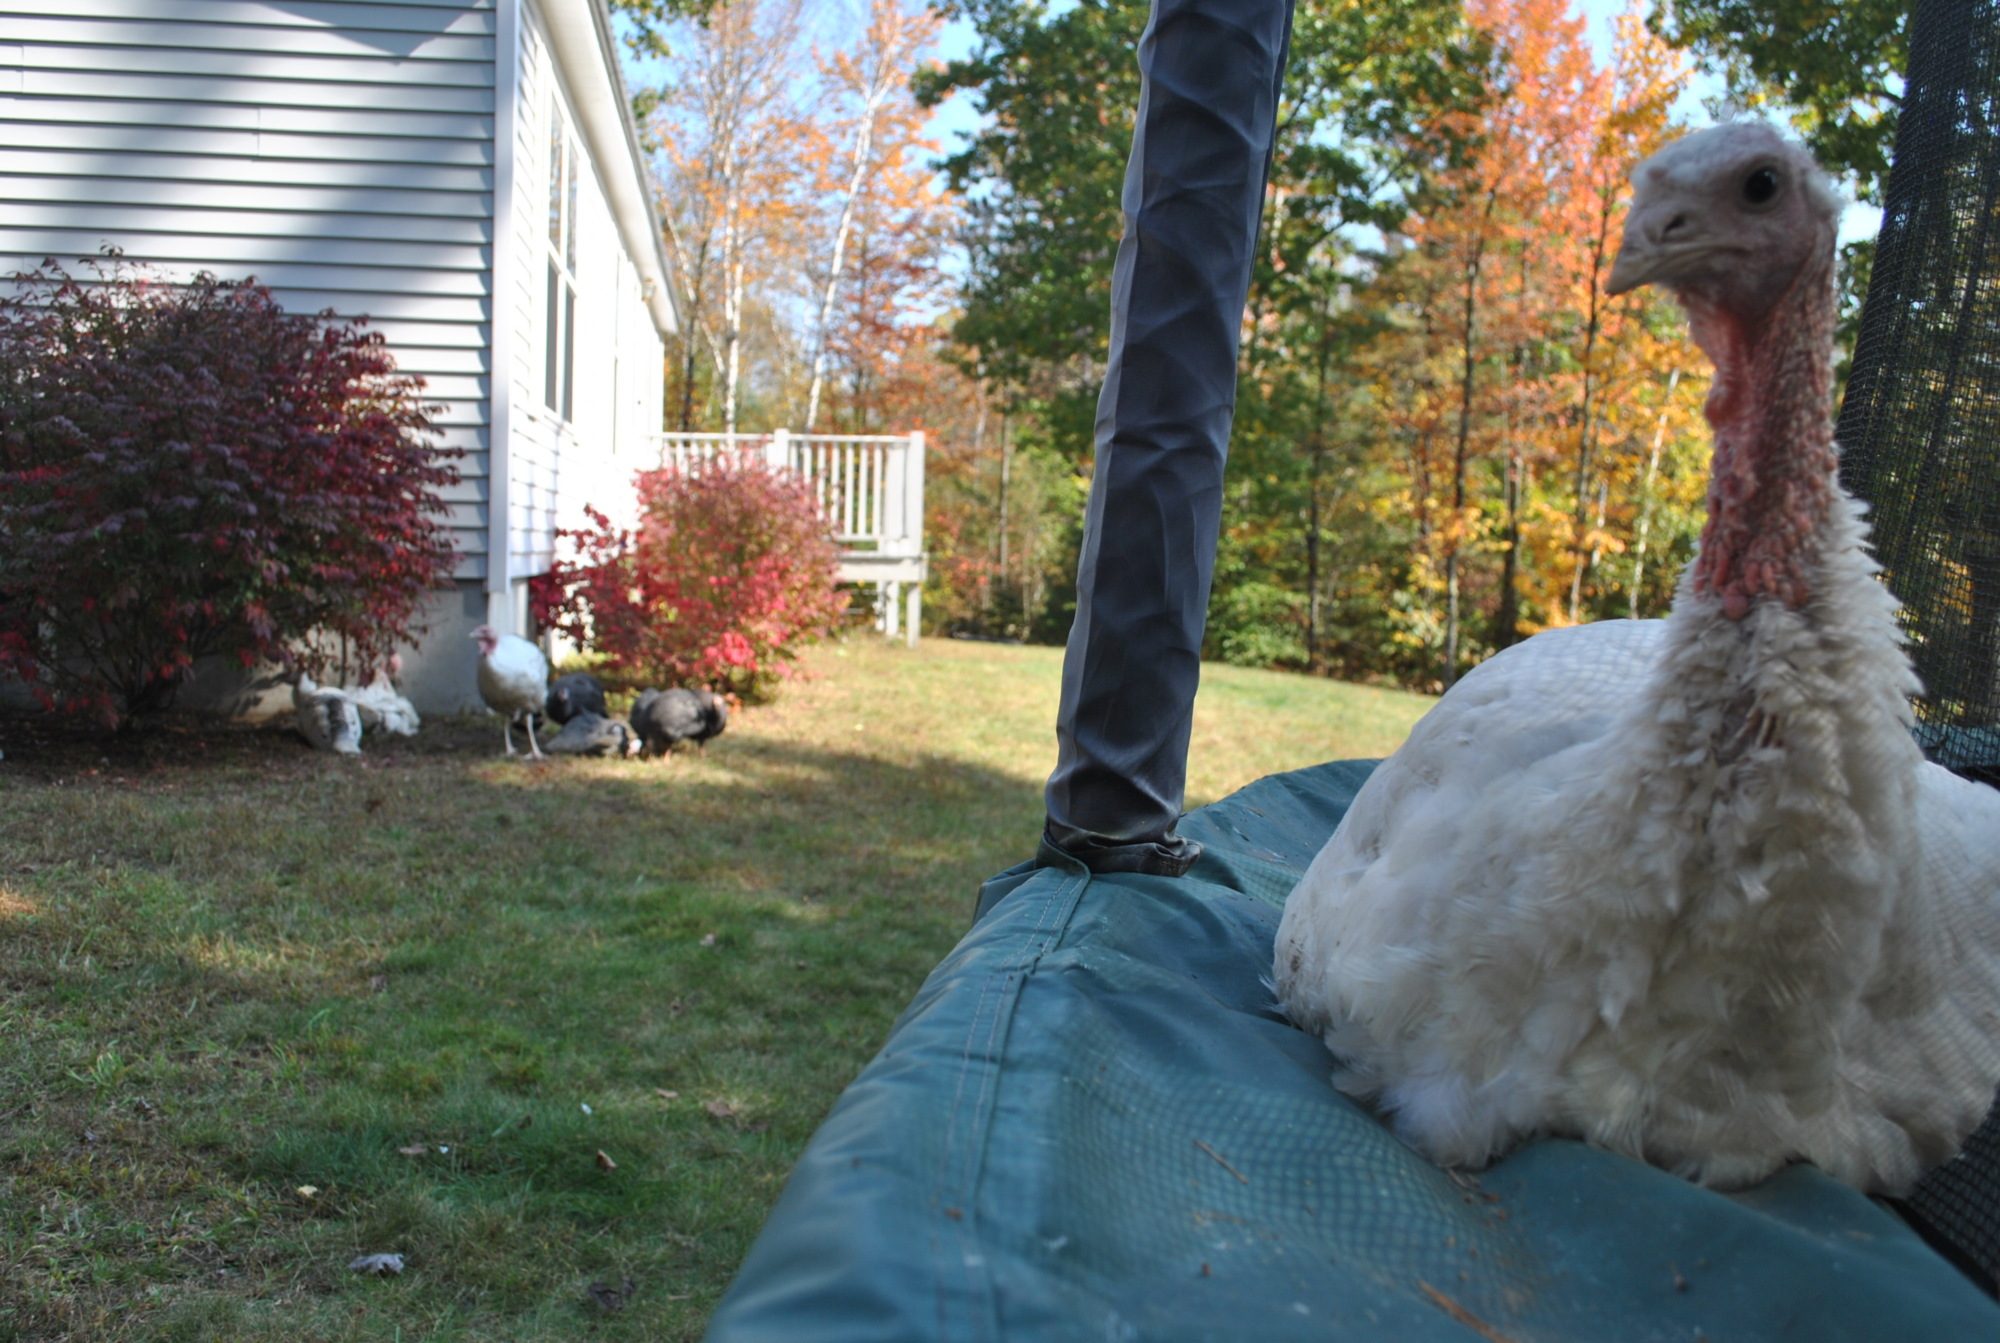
[{"x": 1683, "y": 888}]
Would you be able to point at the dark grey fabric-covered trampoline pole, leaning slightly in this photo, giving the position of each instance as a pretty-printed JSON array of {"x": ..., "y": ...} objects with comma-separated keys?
[{"x": 1193, "y": 199}]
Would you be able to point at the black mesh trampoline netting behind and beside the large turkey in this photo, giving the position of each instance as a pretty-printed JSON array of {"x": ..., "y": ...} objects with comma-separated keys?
[{"x": 1921, "y": 435}]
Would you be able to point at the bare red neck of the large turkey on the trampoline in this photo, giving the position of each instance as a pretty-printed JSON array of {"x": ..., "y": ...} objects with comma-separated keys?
[{"x": 1775, "y": 471}]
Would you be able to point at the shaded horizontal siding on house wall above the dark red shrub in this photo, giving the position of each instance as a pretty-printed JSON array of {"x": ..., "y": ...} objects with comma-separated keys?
[{"x": 343, "y": 153}]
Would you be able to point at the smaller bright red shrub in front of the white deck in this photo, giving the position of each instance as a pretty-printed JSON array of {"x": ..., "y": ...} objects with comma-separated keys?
[{"x": 729, "y": 573}]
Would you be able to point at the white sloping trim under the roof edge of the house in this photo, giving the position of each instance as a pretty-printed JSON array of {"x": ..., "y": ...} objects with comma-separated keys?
[{"x": 581, "y": 39}]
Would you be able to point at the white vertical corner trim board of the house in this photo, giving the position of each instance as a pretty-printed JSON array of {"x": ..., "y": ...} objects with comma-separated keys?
[{"x": 501, "y": 323}]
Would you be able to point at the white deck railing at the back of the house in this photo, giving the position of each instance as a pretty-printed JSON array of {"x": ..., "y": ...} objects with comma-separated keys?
[{"x": 871, "y": 491}]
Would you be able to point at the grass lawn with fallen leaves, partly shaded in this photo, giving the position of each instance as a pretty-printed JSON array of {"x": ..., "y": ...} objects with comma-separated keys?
[{"x": 263, "y": 1010}]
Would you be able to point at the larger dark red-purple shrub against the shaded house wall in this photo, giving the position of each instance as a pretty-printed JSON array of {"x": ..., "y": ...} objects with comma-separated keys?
[{"x": 191, "y": 471}]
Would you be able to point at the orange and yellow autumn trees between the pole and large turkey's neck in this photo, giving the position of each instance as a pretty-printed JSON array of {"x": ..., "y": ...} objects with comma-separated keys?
[{"x": 1535, "y": 409}]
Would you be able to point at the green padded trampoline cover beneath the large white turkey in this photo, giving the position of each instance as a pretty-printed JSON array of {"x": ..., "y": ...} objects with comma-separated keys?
[{"x": 1093, "y": 1124}]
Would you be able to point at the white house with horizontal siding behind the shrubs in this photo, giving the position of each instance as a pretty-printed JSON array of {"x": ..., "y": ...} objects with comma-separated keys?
[{"x": 463, "y": 173}]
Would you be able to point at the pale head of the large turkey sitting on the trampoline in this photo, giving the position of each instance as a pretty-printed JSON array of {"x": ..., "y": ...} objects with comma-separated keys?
[{"x": 1729, "y": 219}]
